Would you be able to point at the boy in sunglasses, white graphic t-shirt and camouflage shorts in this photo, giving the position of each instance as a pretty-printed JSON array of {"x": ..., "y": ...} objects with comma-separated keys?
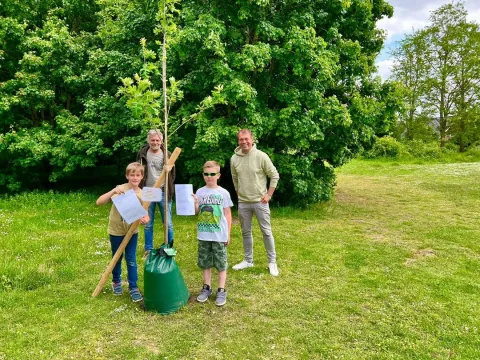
[{"x": 212, "y": 203}]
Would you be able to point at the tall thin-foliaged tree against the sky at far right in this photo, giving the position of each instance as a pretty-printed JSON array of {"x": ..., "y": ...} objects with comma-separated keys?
[{"x": 440, "y": 69}]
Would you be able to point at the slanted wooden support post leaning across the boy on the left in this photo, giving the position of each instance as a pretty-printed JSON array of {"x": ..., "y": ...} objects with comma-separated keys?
[{"x": 167, "y": 168}]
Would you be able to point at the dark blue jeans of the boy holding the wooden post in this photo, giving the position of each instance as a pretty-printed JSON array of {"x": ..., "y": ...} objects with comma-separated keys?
[{"x": 130, "y": 258}]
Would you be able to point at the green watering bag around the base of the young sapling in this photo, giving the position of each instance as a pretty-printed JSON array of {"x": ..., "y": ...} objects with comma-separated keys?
[{"x": 165, "y": 290}]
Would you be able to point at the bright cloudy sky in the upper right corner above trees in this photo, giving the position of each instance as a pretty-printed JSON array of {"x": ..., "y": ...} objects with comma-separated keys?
[{"x": 411, "y": 15}]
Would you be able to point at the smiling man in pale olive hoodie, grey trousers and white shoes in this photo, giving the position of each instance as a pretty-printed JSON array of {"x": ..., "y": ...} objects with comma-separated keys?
[{"x": 250, "y": 168}]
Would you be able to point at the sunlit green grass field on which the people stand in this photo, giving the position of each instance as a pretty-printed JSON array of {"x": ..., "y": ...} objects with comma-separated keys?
[{"x": 389, "y": 269}]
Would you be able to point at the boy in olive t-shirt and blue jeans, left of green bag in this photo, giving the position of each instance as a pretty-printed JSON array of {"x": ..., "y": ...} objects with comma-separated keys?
[{"x": 118, "y": 228}]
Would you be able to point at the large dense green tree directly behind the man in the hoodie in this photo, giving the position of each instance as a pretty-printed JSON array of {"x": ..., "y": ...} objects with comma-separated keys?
[{"x": 298, "y": 73}]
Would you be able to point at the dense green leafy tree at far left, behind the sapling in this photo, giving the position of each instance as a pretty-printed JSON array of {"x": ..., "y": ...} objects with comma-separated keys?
[{"x": 58, "y": 110}]
